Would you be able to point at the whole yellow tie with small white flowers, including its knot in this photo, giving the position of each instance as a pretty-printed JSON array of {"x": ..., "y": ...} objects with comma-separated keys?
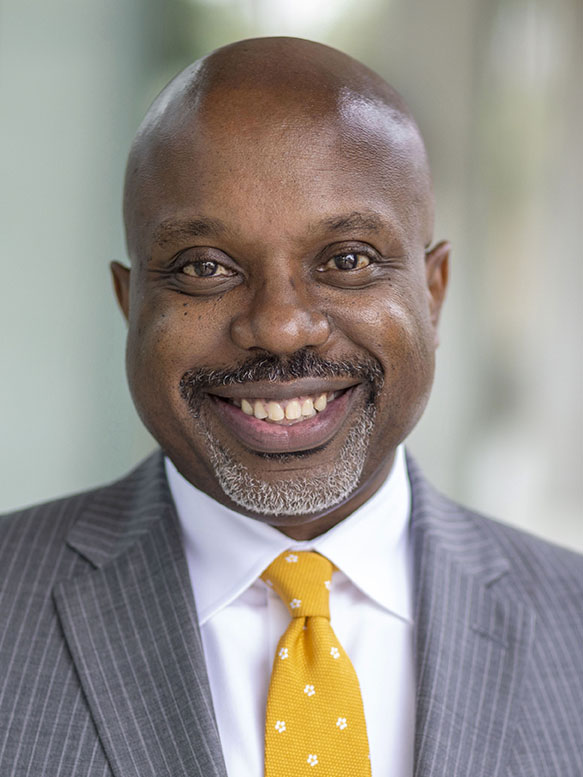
[{"x": 314, "y": 722}]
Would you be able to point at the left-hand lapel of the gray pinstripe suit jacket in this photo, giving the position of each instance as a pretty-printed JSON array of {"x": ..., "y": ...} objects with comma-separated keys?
[{"x": 131, "y": 627}]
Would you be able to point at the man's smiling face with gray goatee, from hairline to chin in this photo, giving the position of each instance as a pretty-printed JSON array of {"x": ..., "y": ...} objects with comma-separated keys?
[{"x": 282, "y": 307}]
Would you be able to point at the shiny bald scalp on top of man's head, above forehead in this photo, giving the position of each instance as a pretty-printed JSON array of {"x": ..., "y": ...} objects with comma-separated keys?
[{"x": 265, "y": 89}]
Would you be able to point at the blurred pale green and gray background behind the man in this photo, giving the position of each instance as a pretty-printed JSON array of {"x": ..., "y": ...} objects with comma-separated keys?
[{"x": 496, "y": 88}]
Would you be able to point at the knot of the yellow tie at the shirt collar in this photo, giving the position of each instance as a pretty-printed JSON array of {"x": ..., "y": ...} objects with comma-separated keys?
[{"x": 302, "y": 580}]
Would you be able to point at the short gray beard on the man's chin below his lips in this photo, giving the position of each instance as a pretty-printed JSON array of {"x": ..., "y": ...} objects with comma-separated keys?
[{"x": 303, "y": 495}]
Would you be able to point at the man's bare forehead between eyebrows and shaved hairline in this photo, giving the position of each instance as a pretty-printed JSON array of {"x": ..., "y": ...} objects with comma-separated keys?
[{"x": 263, "y": 165}]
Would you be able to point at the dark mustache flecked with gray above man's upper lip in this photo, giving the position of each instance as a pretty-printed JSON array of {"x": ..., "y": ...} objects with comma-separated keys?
[{"x": 302, "y": 364}]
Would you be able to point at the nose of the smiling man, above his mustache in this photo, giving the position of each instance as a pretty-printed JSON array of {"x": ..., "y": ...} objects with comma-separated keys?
[{"x": 280, "y": 320}]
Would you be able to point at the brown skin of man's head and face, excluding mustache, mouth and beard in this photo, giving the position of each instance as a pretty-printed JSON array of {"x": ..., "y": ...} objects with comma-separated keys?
[{"x": 269, "y": 159}]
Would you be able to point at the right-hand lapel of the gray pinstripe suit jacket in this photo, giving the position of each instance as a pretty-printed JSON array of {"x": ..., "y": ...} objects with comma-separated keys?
[{"x": 473, "y": 638}]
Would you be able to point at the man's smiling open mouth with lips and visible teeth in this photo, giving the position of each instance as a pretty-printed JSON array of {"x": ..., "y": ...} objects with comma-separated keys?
[{"x": 284, "y": 419}]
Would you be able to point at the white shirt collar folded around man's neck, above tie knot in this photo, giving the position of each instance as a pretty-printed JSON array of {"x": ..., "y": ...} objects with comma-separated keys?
[{"x": 227, "y": 551}]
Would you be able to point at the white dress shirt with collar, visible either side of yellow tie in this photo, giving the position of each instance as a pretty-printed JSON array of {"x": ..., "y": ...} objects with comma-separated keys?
[{"x": 241, "y": 619}]
